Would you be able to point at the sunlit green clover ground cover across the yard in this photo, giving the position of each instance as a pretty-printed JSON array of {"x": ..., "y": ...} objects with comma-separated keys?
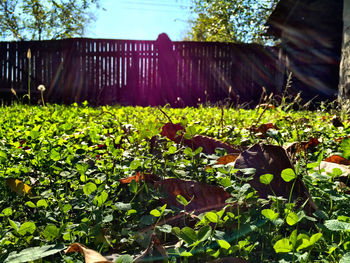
[{"x": 61, "y": 166}]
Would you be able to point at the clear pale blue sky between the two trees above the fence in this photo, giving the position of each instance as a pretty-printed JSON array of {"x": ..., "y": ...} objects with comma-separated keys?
[{"x": 141, "y": 19}]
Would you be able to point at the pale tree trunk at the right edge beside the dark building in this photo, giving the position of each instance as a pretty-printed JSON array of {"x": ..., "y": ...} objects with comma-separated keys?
[{"x": 344, "y": 82}]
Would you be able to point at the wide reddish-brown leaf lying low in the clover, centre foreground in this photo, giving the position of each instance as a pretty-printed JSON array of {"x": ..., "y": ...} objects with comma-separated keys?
[{"x": 204, "y": 197}]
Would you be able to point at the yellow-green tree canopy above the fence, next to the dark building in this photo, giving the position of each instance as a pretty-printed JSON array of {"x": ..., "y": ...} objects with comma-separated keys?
[{"x": 230, "y": 20}]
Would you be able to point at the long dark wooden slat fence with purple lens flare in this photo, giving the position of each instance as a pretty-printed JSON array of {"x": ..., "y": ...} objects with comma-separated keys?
[{"x": 130, "y": 72}]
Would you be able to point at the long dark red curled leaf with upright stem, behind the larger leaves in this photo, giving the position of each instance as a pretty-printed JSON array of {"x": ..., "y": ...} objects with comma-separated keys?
[{"x": 208, "y": 144}]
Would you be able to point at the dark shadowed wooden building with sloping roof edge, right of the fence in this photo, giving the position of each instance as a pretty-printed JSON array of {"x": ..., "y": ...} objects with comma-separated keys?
[{"x": 311, "y": 33}]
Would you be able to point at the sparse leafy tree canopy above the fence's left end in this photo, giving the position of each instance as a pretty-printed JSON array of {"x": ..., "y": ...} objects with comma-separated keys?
[{"x": 44, "y": 19}]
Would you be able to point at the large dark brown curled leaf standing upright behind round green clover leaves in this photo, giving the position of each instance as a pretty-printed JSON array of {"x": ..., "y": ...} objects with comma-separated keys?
[{"x": 271, "y": 159}]
